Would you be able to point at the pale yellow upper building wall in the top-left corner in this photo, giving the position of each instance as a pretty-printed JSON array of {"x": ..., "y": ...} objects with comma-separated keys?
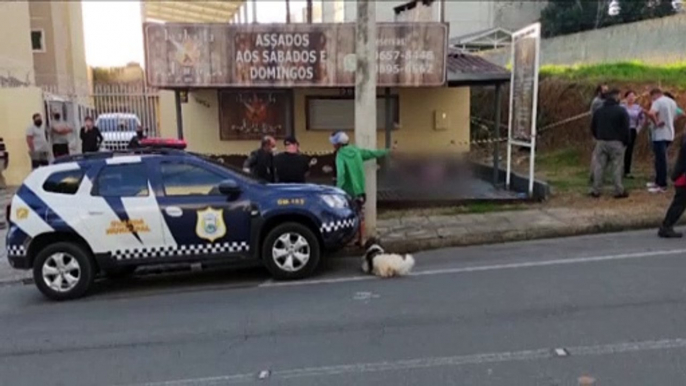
[{"x": 16, "y": 55}]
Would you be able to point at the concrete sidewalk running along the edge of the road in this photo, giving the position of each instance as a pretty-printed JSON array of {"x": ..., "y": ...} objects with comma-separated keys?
[{"x": 415, "y": 233}]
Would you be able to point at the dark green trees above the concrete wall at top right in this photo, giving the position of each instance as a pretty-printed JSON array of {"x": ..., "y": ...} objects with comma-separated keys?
[{"x": 561, "y": 17}]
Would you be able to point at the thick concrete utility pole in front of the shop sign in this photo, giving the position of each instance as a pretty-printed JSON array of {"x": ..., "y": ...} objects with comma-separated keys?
[{"x": 365, "y": 102}]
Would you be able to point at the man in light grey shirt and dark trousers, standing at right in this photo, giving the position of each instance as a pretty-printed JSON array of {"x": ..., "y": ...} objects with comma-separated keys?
[{"x": 662, "y": 114}]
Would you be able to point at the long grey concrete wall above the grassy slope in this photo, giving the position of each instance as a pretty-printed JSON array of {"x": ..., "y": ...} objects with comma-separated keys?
[{"x": 657, "y": 41}]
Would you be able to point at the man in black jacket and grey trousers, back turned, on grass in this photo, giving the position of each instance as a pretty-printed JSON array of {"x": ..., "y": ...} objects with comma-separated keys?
[{"x": 610, "y": 128}]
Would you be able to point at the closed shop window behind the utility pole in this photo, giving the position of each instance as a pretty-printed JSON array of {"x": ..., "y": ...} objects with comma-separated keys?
[{"x": 332, "y": 113}]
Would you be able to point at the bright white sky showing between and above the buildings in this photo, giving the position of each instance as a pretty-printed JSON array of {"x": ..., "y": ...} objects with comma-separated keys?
[{"x": 113, "y": 31}]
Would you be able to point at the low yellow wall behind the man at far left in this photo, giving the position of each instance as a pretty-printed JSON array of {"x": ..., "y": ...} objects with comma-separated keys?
[{"x": 17, "y": 105}]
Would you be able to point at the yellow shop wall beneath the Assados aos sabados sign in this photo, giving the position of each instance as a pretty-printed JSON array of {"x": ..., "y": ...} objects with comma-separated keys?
[{"x": 416, "y": 132}]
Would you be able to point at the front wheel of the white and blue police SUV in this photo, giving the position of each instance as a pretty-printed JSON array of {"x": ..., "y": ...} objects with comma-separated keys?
[{"x": 302, "y": 242}]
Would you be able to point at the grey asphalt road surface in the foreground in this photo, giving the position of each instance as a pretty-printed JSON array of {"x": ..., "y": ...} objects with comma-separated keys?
[{"x": 535, "y": 313}]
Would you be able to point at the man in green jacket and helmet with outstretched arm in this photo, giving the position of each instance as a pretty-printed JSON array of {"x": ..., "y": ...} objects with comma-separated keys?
[{"x": 350, "y": 170}]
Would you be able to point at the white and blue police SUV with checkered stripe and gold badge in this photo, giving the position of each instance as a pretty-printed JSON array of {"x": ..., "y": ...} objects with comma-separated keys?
[{"x": 108, "y": 213}]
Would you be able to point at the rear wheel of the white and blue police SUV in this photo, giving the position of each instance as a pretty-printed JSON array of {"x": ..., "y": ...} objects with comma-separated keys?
[{"x": 76, "y": 264}]
